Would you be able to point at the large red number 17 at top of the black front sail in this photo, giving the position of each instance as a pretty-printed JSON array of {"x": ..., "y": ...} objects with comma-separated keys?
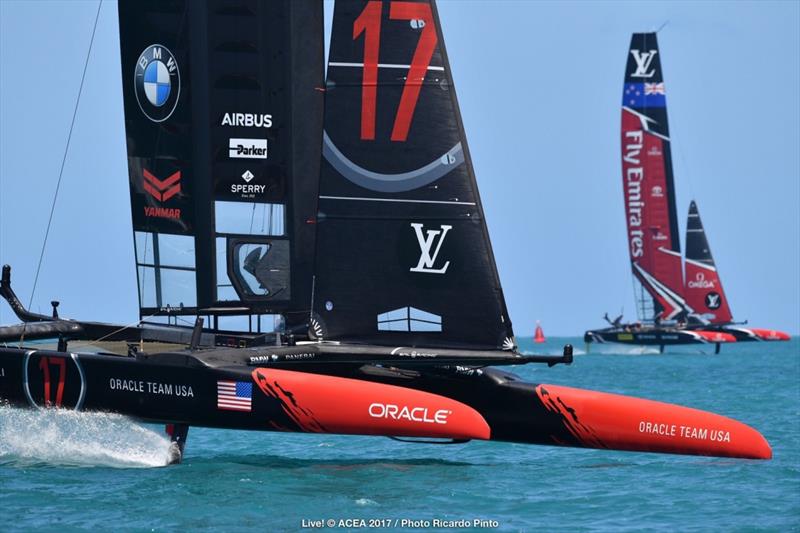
[{"x": 369, "y": 24}]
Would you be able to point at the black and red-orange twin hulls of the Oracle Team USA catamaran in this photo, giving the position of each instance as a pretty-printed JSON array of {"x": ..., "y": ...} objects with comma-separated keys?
[{"x": 437, "y": 402}]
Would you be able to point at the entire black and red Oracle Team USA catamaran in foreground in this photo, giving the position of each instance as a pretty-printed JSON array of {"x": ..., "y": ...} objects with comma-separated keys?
[{"x": 349, "y": 207}]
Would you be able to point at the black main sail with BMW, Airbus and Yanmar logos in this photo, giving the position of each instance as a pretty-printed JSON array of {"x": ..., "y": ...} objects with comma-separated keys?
[{"x": 223, "y": 116}]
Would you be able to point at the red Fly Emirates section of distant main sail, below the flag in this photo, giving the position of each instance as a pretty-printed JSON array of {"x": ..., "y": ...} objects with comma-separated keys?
[{"x": 656, "y": 262}]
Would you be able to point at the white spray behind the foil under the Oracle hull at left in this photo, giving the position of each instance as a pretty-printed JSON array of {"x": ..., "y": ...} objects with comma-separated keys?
[{"x": 70, "y": 438}]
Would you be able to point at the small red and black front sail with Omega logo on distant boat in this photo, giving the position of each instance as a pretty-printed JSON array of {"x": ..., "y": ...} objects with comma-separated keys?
[{"x": 703, "y": 288}]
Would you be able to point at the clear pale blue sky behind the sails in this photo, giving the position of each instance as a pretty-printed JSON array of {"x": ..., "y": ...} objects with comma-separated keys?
[{"x": 539, "y": 85}]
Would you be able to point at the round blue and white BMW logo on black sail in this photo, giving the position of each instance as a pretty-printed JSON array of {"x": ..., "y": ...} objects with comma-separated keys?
[{"x": 157, "y": 82}]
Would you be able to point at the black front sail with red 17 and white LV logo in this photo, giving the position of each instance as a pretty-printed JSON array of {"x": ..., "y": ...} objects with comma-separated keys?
[{"x": 403, "y": 252}]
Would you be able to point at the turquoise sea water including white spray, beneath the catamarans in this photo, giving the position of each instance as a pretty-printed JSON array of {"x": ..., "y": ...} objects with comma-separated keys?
[{"x": 72, "y": 471}]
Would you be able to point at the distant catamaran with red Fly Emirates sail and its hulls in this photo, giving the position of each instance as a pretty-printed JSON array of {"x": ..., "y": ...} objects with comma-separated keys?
[{"x": 672, "y": 309}]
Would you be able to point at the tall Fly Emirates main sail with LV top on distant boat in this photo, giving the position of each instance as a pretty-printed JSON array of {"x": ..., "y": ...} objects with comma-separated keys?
[{"x": 648, "y": 186}]
